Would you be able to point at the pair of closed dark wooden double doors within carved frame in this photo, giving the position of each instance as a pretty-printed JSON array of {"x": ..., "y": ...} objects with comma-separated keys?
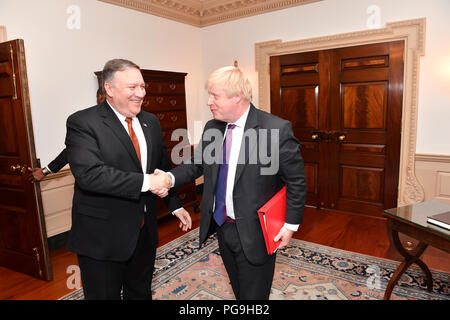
[{"x": 345, "y": 106}]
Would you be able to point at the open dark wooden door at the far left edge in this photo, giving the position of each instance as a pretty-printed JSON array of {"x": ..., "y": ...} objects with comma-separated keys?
[{"x": 23, "y": 240}]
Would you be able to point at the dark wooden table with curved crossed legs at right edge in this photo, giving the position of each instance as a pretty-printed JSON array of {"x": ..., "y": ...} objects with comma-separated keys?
[{"x": 412, "y": 221}]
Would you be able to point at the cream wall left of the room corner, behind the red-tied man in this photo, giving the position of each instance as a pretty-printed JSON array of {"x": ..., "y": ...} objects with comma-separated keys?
[{"x": 61, "y": 61}]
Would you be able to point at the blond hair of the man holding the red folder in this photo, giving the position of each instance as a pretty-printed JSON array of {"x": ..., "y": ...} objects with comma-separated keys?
[{"x": 232, "y": 80}]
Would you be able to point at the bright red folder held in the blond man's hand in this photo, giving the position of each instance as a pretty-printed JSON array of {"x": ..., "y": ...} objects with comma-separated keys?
[{"x": 272, "y": 217}]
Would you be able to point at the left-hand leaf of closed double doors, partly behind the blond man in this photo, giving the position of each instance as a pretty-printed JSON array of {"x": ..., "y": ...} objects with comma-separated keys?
[{"x": 295, "y": 94}]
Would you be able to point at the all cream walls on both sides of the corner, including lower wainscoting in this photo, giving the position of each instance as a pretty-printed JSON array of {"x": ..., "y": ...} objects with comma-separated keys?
[{"x": 61, "y": 62}]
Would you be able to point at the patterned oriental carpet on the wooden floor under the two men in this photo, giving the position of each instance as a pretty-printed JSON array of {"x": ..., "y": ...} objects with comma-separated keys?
[{"x": 304, "y": 271}]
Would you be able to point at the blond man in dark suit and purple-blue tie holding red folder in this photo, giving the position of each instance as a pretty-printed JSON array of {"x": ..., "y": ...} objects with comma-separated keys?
[{"x": 240, "y": 183}]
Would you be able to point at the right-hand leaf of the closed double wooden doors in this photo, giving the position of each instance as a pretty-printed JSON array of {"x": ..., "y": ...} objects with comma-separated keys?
[{"x": 369, "y": 109}]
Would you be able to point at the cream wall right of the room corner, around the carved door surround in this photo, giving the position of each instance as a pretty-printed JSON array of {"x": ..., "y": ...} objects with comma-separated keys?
[{"x": 223, "y": 43}]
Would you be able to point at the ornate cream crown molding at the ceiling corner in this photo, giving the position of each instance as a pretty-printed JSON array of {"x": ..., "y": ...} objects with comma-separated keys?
[{"x": 202, "y": 13}]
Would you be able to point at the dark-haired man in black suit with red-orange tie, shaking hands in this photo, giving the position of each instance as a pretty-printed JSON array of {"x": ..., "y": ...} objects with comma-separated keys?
[{"x": 112, "y": 148}]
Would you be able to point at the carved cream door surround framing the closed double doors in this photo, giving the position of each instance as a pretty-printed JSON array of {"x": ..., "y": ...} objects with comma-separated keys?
[{"x": 413, "y": 33}]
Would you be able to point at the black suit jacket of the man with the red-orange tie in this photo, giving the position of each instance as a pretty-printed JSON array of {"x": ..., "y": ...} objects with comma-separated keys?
[{"x": 108, "y": 204}]
